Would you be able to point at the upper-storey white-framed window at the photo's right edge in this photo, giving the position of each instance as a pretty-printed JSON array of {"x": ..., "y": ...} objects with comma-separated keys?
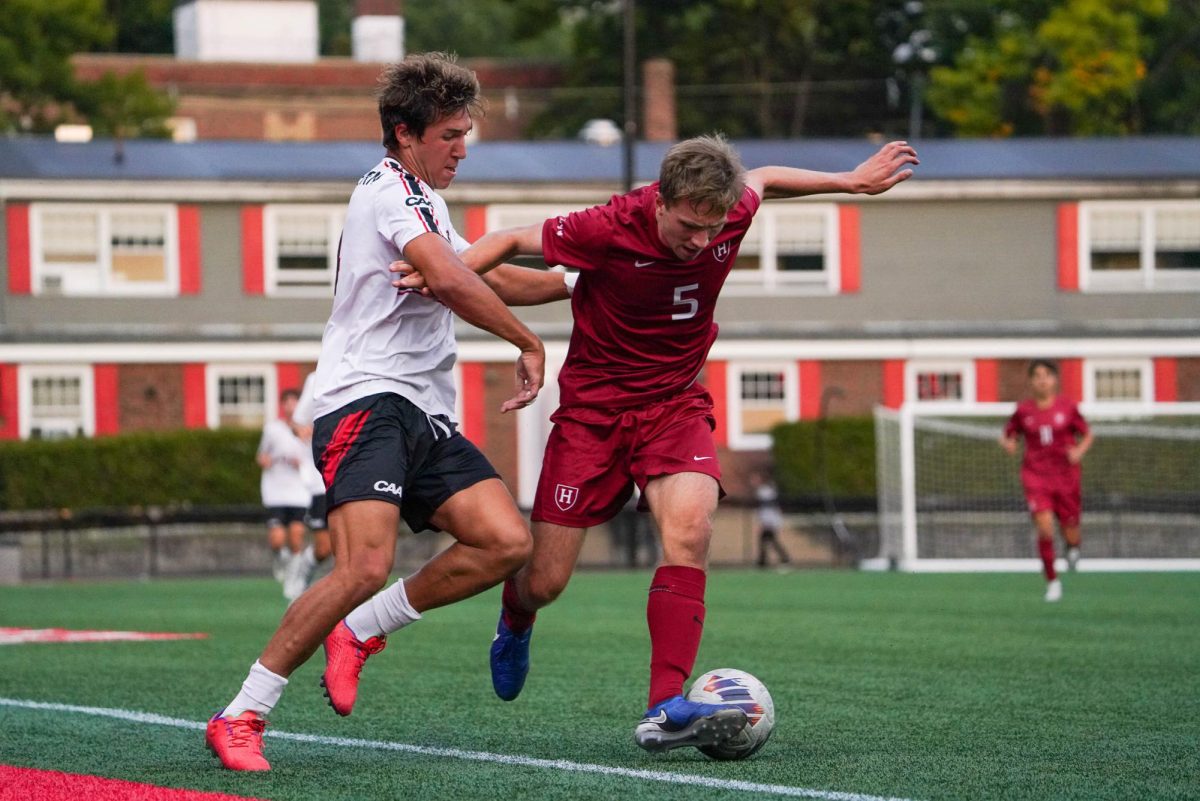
[{"x": 1141, "y": 246}]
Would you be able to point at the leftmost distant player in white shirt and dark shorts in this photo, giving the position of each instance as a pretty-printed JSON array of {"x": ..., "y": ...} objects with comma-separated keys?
[{"x": 281, "y": 455}]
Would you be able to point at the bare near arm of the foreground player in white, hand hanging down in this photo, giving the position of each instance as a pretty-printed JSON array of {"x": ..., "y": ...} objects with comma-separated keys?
[{"x": 466, "y": 294}]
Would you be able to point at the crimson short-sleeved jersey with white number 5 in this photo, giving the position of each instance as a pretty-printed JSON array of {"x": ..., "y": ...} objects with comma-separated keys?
[{"x": 644, "y": 321}]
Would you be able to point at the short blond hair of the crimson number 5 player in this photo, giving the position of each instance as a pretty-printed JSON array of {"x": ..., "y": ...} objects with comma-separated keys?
[{"x": 704, "y": 171}]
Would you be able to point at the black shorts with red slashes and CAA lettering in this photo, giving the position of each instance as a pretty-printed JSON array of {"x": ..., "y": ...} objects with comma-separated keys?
[{"x": 383, "y": 448}]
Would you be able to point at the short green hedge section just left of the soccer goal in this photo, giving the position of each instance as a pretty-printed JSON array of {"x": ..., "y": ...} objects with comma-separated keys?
[{"x": 849, "y": 456}]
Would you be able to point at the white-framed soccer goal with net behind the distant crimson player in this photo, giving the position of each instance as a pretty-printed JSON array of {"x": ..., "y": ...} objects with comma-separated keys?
[{"x": 951, "y": 498}]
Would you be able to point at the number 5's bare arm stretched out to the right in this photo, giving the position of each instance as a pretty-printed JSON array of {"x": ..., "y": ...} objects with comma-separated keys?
[{"x": 878, "y": 174}]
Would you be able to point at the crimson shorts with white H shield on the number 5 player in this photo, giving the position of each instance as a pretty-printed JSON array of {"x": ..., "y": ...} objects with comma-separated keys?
[{"x": 595, "y": 457}]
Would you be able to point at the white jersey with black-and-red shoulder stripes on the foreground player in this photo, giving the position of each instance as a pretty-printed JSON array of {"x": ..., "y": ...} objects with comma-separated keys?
[{"x": 380, "y": 339}]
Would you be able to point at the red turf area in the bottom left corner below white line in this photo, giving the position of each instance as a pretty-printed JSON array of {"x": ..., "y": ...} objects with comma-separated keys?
[{"x": 29, "y": 785}]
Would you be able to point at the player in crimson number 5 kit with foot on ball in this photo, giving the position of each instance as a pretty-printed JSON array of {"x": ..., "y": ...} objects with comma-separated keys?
[{"x": 651, "y": 267}]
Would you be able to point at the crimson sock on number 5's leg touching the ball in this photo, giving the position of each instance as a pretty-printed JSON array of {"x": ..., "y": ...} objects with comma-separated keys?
[{"x": 676, "y": 617}]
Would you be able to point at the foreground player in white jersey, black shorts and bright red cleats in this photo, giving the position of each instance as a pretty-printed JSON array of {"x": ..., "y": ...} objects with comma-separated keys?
[{"x": 385, "y": 435}]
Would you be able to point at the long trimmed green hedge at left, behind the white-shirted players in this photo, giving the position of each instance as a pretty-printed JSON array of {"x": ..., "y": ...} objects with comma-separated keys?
[{"x": 169, "y": 468}]
